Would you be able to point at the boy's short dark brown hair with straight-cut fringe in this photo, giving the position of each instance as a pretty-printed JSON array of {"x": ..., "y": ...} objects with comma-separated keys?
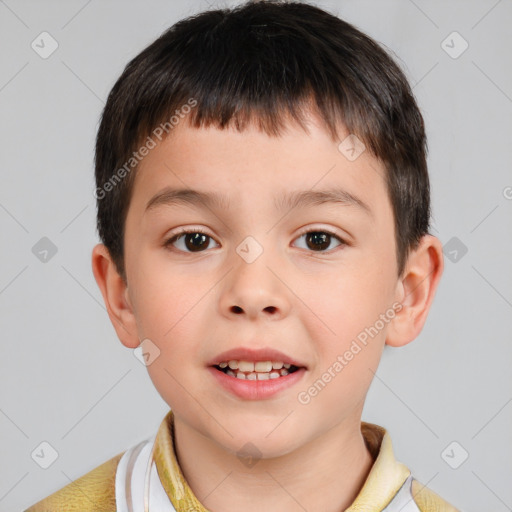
[{"x": 265, "y": 61}]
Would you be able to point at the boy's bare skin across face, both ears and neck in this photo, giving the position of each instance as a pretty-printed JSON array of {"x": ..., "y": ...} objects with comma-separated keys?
[{"x": 307, "y": 303}]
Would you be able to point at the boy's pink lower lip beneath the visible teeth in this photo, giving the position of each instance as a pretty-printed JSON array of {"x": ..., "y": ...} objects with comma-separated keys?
[{"x": 256, "y": 389}]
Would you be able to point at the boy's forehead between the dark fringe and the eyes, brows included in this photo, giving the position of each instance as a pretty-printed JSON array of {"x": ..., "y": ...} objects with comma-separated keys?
[{"x": 218, "y": 168}]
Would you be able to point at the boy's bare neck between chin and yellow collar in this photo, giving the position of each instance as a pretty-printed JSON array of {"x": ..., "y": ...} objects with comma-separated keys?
[{"x": 324, "y": 475}]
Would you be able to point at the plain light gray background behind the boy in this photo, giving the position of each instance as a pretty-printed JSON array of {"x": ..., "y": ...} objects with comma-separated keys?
[{"x": 65, "y": 377}]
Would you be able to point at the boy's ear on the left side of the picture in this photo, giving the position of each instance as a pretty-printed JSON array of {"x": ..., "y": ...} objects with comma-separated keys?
[{"x": 115, "y": 296}]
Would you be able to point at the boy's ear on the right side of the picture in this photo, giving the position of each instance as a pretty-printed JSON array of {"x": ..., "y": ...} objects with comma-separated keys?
[{"x": 415, "y": 291}]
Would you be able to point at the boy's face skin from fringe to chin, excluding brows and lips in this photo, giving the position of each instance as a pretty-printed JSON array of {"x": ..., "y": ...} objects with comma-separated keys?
[{"x": 306, "y": 296}]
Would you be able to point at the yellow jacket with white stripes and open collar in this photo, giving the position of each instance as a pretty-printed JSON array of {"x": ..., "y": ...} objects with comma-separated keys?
[{"x": 147, "y": 478}]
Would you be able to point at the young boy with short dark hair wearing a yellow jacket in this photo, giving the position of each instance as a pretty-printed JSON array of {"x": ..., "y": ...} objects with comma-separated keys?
[{"x": 263, "y": 203}]
